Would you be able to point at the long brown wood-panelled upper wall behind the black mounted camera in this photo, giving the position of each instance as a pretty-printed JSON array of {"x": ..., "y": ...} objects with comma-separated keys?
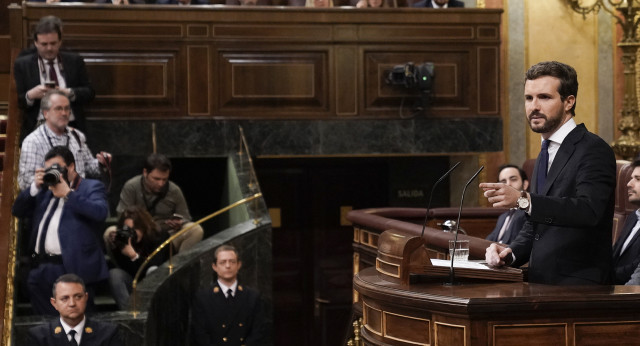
[{"x": 278, "y": 63}]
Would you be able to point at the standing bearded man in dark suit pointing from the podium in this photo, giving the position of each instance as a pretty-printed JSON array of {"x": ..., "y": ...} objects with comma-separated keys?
[{"x": 570, "y": 209}]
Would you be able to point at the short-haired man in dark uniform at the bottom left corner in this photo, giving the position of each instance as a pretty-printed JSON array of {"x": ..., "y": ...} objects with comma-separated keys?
[{"x": 73, "y": 327}]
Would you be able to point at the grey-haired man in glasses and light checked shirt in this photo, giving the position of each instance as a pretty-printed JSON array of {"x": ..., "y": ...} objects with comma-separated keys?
[{"x": 55, "y": 131}]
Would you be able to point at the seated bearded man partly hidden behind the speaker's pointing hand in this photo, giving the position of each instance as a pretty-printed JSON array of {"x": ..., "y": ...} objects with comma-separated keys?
[{"x": 510, "y": 223}]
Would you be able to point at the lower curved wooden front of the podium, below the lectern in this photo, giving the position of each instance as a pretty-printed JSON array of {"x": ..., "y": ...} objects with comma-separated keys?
[{"x": 431, "y": 313}]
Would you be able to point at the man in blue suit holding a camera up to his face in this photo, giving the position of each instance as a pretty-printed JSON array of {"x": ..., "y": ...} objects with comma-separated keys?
[{"x": 67, "y": 213}]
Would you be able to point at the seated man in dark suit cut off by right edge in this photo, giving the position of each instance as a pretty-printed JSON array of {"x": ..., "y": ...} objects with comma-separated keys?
[{"x": 626, "y": 250}]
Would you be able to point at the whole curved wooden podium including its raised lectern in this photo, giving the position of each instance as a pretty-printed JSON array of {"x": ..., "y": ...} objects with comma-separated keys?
[{"x": 403, "y": 302}]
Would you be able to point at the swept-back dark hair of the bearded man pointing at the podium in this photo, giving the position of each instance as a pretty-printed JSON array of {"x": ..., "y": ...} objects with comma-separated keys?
[{"x": 565, "y": 73}]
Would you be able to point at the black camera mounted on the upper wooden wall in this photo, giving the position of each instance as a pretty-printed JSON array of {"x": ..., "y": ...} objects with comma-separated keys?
[{"x": 417, "y": 77}]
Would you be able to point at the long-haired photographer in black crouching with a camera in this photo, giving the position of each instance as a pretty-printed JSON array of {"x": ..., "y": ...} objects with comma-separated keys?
[{"x": 135, "y": 238}]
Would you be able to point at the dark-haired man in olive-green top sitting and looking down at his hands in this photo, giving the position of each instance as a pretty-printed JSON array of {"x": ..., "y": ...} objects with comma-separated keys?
[{"x": 163, "y": 199}]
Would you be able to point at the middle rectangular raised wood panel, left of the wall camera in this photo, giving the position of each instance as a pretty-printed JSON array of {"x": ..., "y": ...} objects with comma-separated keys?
[{"x": 275, "y": 82}]
